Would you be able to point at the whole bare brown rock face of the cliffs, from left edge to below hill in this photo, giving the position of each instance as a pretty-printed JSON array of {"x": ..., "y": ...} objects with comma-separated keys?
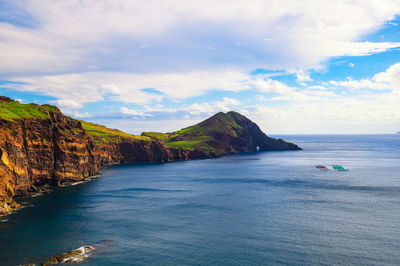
[{"x": 54, "y": 150}]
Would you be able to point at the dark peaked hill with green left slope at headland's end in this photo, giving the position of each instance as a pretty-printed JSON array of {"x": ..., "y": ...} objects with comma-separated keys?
[{"x": 223, "y": 133}]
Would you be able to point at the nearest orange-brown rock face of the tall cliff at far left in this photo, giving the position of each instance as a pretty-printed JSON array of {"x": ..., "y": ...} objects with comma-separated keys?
[{"x": 42, "y": 151}]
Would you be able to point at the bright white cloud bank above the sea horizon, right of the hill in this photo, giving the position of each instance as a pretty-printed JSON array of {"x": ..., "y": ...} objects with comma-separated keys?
[{"x": 320, "y": 110}]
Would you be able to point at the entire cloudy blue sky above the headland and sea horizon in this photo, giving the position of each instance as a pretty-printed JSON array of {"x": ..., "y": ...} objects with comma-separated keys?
[{"x": 291, "y": 66}]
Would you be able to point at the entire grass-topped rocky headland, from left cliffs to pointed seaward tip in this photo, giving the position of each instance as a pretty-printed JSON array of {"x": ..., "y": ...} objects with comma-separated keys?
[{"x": 40, "y": 147}]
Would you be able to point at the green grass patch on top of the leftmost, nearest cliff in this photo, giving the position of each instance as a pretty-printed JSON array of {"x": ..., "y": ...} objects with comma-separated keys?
[{"x": 11, "y": 110}]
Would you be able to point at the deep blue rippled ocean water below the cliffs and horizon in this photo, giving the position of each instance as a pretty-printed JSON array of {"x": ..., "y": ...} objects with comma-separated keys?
[{"x": 248, "y": 209}]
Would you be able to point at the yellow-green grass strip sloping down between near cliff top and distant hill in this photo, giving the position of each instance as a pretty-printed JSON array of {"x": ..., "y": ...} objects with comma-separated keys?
[{"x": 104, "y": 134}]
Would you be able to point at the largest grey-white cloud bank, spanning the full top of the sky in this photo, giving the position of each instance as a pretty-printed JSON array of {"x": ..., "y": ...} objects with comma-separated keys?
[{"x": 73, "y": 36}]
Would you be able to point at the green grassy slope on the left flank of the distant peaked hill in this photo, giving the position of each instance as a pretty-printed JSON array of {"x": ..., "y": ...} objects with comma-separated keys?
[{"x": 195, "y": 137}]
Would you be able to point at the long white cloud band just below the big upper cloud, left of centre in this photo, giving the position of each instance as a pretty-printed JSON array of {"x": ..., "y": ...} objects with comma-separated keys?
[{"x": 75, "y": 89}]
